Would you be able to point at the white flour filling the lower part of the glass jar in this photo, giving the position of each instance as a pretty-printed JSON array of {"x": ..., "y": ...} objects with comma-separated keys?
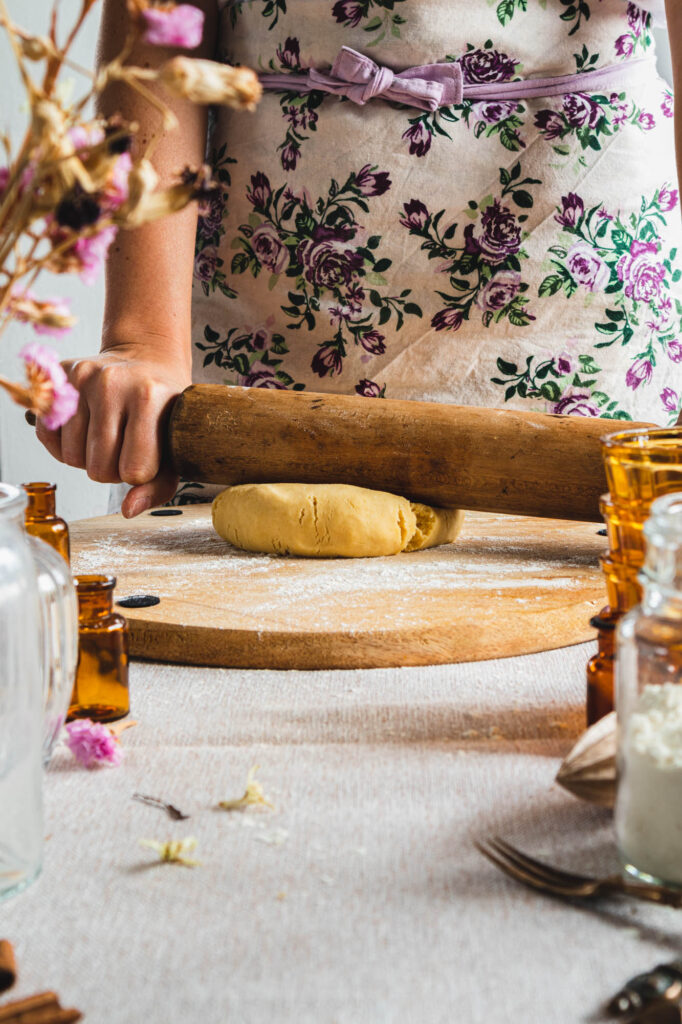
[{"x": 650, "y": 809}]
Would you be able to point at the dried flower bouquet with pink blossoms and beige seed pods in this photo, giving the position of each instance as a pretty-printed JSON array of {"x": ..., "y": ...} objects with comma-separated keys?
[{"x": 75, "y": 181}]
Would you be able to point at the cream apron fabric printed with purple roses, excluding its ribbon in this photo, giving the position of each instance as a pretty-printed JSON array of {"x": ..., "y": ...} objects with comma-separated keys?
[{"x": 497, "y": 252}]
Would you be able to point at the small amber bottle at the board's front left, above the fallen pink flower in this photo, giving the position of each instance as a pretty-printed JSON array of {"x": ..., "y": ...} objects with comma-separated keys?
[{"x": 101, "y": 692}]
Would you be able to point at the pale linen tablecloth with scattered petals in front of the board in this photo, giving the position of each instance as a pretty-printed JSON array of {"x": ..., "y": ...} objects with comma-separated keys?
[{"x": 361, "y": 900}]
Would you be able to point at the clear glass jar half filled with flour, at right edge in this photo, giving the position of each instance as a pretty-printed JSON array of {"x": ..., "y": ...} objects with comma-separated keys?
[{"x": 649, "y": 696}]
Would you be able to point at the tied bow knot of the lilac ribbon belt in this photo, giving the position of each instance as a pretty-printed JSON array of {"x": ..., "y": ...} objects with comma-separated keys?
[{"x": 360, "y": 79}]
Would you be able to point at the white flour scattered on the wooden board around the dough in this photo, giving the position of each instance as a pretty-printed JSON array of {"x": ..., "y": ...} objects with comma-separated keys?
[{"x": 185, "y": 550}]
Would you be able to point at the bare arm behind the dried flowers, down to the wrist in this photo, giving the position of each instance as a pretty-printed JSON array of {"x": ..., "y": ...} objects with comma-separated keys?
[{"x": 149, "y": 273}]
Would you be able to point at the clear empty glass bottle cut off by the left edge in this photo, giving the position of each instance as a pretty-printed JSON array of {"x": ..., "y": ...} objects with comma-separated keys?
[{"x": 21, "y": 702}]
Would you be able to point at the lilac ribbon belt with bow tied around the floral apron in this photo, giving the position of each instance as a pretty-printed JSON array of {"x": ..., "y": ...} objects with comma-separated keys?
[{"x": 358, "y": 78}]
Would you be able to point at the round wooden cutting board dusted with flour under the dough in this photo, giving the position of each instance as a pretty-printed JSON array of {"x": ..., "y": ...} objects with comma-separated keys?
[{"x": 509, "y": 586}]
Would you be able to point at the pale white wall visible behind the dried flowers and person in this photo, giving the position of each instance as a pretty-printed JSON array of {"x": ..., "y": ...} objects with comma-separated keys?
[{"x": 22, "y": 458}]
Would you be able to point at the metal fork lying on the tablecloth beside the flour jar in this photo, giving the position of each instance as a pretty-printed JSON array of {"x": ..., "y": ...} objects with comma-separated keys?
[{"x": 560, "y": 883}]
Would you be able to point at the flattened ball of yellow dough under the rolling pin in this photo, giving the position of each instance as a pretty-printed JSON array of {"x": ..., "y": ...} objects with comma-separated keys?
[{"x": 329, "y": 521}]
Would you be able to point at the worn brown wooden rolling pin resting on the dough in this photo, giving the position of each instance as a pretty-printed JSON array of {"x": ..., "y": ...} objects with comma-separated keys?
[{"x": 450, "y": 456}]
